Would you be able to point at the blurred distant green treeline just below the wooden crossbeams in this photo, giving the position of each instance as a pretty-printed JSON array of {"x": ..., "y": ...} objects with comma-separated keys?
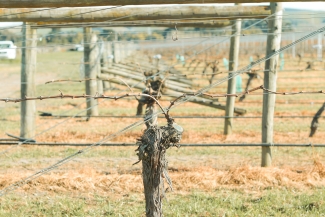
[{"x": 75, "y": 36}]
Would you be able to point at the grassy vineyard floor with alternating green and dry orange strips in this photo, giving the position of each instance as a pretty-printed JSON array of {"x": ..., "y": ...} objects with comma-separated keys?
[{"x": 207, "y": 181}]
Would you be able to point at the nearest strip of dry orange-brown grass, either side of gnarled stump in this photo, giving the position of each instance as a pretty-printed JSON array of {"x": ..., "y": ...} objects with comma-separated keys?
[{"x": 87, "y": 180}]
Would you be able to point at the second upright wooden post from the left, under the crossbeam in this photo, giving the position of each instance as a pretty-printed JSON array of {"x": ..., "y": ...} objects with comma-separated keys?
[{"x": 90, "y": 61}]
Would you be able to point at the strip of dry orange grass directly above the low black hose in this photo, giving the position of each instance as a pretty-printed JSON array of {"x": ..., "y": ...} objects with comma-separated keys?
[{"x": 189, "y": 136}]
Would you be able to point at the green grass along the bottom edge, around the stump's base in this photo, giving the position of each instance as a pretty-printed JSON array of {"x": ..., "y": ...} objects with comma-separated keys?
[{"x": 273, "y": 202}]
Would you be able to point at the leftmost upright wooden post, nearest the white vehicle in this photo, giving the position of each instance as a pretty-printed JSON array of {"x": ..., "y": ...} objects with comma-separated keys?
[{"x": 28, "y": 69}]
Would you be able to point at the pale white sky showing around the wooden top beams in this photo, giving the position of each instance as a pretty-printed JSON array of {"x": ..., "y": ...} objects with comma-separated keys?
[{"x": 319, "y": 6}]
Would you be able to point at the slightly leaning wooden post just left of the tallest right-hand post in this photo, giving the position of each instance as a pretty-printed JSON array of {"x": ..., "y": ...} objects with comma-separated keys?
[{"x": 233, "y": 60}]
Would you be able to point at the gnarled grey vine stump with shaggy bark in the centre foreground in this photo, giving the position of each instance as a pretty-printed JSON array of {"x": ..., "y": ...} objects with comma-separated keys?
[{"x": 151, "y": 151}]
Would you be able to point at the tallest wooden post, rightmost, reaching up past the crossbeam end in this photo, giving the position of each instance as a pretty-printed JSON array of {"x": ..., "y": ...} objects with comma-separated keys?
[{"x": 270, "y": 75}]
